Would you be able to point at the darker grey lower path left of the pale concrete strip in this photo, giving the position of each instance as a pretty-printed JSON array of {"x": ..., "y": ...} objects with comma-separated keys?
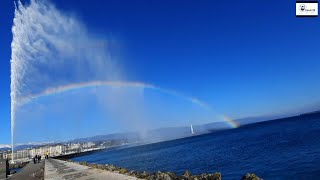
[{"x": 30, "y": 172}]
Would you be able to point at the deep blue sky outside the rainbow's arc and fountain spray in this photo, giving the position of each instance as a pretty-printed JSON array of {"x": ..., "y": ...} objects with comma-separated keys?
[{"x": 257, "y": 59}]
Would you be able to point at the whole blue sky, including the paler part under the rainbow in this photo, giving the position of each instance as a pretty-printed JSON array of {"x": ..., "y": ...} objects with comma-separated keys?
[{"x": 249, "y": 63}]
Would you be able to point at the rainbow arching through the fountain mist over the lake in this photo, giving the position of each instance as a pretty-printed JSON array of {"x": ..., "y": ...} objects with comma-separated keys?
[{"x": 120, "y": 84}]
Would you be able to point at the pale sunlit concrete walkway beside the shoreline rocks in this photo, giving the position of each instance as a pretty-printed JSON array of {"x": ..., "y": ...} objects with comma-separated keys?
[{"x": 57, "y": 169}]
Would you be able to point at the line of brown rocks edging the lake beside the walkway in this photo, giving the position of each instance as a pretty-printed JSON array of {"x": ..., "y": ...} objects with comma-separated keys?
[{"x": 162, "y": 175}]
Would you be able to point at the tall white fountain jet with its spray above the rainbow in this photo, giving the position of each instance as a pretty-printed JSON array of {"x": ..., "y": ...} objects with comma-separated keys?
[{"x": 49, "y": 49}]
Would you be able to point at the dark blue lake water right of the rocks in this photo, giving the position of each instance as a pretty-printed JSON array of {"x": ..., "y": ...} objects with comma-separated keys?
[{"x": 281, "y": 149}]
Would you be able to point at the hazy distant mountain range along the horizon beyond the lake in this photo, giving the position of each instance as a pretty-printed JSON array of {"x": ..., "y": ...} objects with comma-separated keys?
[{"x": 161, "y": 134}]
